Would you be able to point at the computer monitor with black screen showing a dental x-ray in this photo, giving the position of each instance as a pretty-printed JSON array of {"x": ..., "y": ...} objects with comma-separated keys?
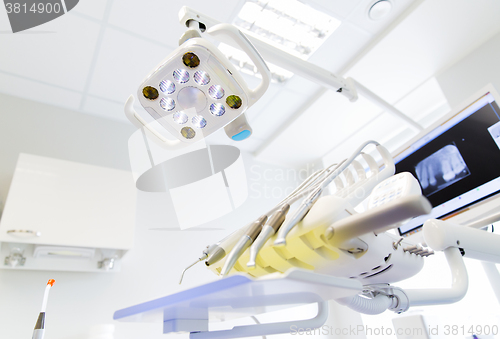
[{"x": 457, "y": 160}]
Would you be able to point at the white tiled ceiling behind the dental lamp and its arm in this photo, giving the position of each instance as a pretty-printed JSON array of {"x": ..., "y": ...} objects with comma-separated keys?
[{"x": 93, "y": 58}]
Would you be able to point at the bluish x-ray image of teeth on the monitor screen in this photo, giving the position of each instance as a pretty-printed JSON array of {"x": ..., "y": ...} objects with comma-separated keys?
[{"x": 441, "y": 169}]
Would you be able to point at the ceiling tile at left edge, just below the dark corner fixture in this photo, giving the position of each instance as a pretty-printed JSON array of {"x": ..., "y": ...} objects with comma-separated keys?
[{"x": 58, "y": 52}]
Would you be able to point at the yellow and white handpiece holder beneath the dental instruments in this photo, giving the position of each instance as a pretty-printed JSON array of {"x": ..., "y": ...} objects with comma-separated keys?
[{"x": 307, "y": 247}]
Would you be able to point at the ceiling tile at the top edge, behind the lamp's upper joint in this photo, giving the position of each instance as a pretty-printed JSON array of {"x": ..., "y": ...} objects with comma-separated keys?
[{"x": 158, "y": 20}]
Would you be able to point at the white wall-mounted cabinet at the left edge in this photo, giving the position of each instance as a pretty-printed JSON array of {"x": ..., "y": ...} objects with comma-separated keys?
[{"x": 64, "y": 215}]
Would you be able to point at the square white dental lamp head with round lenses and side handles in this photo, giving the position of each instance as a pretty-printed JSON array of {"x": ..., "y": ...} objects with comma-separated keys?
[{"x": 196, "y": 90}]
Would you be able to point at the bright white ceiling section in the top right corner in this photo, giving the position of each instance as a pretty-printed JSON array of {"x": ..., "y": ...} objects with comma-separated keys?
[{"x": 431, "y": 38}]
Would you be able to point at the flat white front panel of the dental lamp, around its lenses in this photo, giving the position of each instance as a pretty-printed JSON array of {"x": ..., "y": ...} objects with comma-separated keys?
[{"x": 221, "y": 73}]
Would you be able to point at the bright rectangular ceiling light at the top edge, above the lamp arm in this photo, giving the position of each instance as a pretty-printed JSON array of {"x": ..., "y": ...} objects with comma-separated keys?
[{"x": 287, "y": 24}]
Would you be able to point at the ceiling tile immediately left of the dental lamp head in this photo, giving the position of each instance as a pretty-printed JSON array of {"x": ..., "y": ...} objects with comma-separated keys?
[{"x": 123, "y": 63}]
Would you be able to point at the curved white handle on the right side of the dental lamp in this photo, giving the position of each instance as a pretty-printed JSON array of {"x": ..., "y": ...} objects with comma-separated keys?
[{"x": 242, "y": 41}]
